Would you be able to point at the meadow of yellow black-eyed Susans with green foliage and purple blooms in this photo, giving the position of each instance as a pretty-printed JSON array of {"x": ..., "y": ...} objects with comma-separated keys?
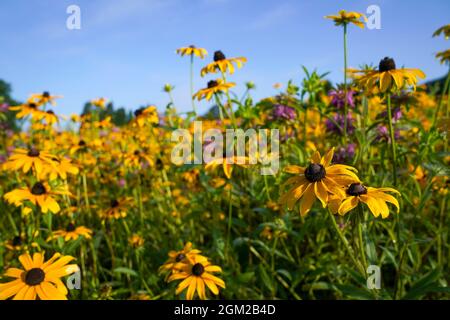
[{"x": 91, "y": 208}]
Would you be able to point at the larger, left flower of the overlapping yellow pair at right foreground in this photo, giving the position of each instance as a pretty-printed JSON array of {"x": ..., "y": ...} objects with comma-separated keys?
[{"x": 317, "y": 181}]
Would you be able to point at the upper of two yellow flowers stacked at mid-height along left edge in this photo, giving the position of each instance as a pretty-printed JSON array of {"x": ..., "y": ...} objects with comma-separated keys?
[{"x": 25, "y": 160}]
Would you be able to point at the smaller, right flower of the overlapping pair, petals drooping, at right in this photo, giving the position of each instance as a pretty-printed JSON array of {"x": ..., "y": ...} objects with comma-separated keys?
[{"x": 374, "y": 198}]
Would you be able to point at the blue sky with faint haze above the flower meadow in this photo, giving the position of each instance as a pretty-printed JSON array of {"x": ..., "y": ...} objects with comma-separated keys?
[{"x": 125, "y": 50}]
